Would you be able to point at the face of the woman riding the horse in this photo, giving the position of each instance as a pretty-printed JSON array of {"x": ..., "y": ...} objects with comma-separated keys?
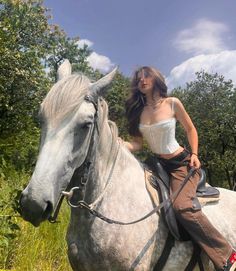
[{"x": 145, "y": 82}]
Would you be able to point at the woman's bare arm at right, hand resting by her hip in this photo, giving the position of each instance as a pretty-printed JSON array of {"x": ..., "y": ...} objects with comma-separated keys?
[{"x": 183, "y": 117}]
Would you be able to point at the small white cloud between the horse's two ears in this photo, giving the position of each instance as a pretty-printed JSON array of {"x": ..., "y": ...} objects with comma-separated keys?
[{"x": 100, "y": 62}]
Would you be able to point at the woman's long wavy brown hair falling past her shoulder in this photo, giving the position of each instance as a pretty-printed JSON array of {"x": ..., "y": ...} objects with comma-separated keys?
[{"x": 137, "y": 100}]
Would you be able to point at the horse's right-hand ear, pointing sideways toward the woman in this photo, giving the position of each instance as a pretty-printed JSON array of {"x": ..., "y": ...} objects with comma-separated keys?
[{"x": 98, "y": 88}]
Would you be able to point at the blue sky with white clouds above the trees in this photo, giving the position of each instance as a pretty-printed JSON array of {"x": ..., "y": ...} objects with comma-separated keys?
[{"x": 178, "y": 37}]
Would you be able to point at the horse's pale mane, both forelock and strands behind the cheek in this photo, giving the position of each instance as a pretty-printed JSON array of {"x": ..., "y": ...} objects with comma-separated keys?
[{"x": 66, "y": 96}]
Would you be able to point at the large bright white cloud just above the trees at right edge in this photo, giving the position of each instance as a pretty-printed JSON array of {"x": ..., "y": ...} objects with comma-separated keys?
[{"x": 223, "y": 63}]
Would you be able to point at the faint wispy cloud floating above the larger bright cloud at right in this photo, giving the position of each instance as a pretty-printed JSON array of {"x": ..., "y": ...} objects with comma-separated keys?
[{"x": 203, "y": 38}]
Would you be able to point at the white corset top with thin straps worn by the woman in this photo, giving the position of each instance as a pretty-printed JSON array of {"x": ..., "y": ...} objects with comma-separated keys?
[{"x": 160, "y": 136}]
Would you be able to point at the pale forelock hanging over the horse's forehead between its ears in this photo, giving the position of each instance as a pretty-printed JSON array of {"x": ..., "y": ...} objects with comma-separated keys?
[{"x": 64, "y": 97}]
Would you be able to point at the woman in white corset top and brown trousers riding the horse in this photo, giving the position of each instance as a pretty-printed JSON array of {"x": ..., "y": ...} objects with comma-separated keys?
[{"x": 152, "y": 116}]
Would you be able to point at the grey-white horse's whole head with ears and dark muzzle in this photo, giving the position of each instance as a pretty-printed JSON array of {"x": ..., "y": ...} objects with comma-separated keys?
[{"x": 68, "y": 115}]
